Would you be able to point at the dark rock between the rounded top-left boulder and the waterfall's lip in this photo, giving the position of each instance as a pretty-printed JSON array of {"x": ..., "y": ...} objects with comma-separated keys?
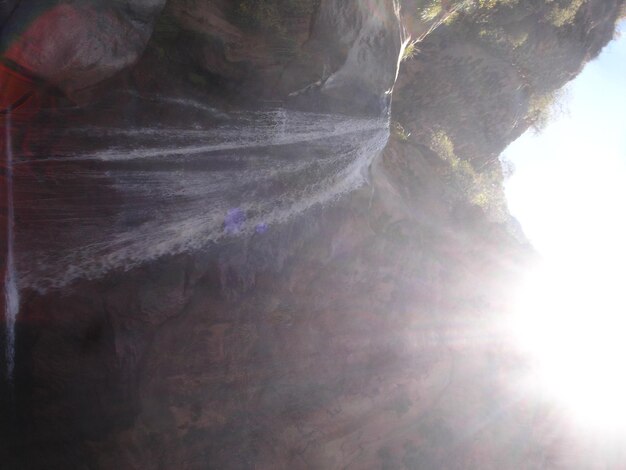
[{"x": 342, "y": 57}]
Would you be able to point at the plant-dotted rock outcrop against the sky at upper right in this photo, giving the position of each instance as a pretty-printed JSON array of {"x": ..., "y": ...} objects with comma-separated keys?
[{"x": 488, "y": 71}]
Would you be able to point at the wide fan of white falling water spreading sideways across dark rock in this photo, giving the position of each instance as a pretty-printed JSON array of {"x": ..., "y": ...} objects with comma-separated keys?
[{"x": 140, "y": 193}]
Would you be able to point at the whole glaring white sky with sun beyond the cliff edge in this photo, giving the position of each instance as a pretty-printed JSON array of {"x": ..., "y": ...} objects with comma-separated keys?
[{"x": 569, "y": 193}]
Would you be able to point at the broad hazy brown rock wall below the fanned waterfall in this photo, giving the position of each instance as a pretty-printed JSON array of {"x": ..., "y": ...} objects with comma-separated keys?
[{"x": 189, "y": 370}]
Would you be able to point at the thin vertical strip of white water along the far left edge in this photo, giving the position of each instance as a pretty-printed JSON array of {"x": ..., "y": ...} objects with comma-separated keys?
[{"x": 11, "y": 293}]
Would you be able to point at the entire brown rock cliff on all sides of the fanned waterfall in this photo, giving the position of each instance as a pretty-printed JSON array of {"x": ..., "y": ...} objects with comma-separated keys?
[{"x": 368, "y": 341}]
